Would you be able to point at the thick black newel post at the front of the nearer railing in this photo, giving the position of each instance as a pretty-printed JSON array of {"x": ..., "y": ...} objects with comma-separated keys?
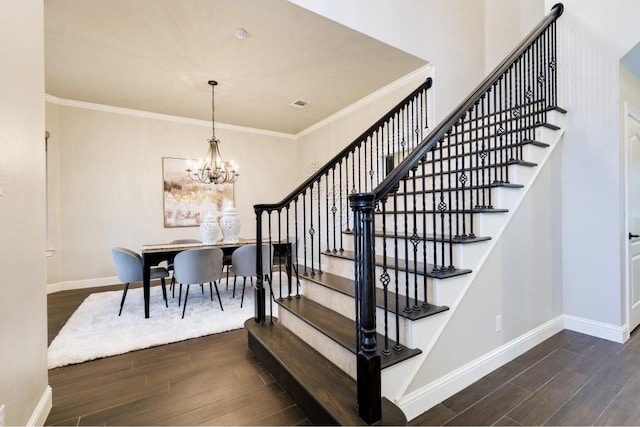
[{"x": 368, "y": 358}]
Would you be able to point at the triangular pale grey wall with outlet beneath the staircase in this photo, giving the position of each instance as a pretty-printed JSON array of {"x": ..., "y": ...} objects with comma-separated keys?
[{"x": 520, "y": 281}]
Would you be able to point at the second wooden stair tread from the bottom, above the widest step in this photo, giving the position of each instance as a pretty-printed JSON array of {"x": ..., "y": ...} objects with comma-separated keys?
[{"x": 341, "y": 329}]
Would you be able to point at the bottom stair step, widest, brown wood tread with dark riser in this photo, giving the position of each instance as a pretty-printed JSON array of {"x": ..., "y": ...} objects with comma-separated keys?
[{"x": 325, "y": 393}]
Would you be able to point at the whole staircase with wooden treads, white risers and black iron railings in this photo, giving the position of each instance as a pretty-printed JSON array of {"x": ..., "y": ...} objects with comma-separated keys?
[{"x": 387, "y": 236}]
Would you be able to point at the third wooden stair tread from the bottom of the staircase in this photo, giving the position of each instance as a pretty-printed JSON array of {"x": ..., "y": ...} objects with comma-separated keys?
[{"x": 347, "y": 287}]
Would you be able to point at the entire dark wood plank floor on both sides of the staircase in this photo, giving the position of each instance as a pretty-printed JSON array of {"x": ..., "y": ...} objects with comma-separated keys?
[{"x": 570, "y": 379}]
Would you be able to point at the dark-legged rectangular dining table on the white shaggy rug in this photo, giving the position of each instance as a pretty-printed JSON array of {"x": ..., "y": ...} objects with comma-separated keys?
[{"x": 154, "y": 254}]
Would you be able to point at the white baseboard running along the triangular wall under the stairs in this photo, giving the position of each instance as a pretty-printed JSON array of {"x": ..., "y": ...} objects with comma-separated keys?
[{"x": 419, "y": 401}]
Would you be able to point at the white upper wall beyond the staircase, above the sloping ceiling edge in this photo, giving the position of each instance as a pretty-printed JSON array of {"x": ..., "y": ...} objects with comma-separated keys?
[{"x": 428, "y": 29}]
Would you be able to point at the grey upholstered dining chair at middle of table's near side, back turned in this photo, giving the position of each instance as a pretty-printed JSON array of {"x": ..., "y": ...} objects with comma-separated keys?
[{"x": 198, "y": 266}]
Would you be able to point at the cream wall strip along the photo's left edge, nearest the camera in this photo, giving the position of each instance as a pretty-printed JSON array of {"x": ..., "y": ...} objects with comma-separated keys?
[{"x": 23, "y": 309}]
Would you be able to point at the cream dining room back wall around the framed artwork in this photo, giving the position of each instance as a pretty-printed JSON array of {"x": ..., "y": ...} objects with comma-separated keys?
[{"x": 108, "y": 191}]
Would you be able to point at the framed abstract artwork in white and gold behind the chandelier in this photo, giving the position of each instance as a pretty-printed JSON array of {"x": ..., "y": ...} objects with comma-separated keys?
[{"x": 186, "y": 202}]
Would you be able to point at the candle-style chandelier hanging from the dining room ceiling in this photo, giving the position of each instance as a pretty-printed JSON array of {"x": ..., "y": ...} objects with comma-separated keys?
[{"x": 212, "y": 169}]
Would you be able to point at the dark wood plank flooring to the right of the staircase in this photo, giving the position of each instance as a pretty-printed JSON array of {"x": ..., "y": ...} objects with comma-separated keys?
[{"x": 569, "y": 379}]
